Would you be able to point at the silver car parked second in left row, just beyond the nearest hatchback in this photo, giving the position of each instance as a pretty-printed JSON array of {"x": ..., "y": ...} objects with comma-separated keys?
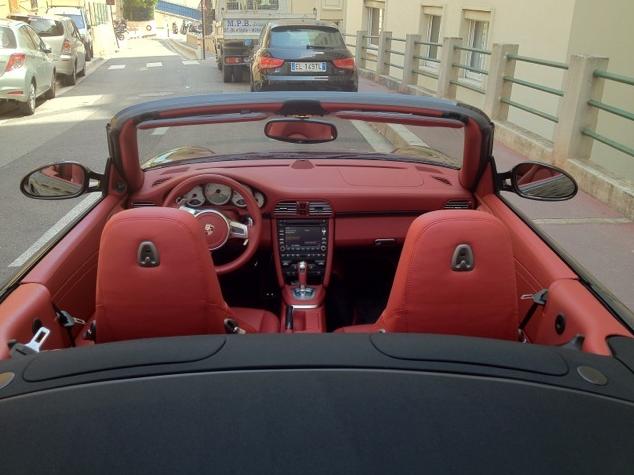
[{"x": 62, "y": 36}]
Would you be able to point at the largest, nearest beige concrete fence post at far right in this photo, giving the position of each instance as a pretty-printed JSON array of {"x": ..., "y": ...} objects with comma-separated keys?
[{"x": 574, "y": 112}]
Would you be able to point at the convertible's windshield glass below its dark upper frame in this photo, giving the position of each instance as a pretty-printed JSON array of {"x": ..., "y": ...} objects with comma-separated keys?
[{"x": 355, "y": 139}]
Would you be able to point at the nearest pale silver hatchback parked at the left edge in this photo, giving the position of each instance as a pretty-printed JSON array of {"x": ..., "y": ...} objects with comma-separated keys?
[{"x": 27, "y": 70}]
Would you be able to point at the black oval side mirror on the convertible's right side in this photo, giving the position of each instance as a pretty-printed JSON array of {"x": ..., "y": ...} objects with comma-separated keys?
[{"x": 539, "y": 181}]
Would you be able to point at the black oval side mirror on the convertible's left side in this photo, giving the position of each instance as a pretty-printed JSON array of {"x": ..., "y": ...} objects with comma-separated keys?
[{"x": 60, "y": 181}]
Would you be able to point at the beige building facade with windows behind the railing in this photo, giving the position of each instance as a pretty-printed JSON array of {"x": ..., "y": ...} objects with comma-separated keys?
[{"x": 542, "y": 29}]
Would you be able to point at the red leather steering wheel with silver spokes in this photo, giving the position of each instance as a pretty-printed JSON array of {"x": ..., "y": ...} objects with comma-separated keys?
[{"x": 217, "y": 227}]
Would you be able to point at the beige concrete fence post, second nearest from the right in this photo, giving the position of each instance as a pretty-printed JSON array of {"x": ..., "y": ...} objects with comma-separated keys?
[{"x": 496, "y": 86}]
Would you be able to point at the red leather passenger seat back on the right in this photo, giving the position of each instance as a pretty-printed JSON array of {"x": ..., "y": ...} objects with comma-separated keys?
[{"x": 430, "y": 295}]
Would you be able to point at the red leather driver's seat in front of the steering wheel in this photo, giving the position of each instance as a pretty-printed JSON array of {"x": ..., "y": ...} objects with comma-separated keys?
[{"x": 178, "y": 296}]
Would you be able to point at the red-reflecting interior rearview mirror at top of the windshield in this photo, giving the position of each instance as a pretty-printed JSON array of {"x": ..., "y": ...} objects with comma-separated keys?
[{"x": 301, "y": 131}]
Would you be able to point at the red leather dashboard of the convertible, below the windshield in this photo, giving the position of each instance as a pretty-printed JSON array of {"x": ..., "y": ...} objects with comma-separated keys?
[{"x": 370, "y": 198}]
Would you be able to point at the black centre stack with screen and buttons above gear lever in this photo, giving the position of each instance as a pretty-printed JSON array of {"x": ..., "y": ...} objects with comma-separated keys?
[{"x": 303, "y": 240}]
